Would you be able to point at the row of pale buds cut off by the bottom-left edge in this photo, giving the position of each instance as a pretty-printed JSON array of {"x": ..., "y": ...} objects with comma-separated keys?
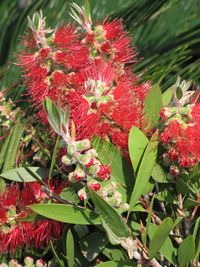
[{"x": 28, "y": 262}]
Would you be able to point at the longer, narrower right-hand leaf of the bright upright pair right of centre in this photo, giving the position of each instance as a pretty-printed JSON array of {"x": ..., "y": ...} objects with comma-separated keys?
[{"x": 145, "y": 170}]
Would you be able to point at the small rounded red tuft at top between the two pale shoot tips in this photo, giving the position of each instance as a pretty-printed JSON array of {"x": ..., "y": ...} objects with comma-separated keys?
[{"x": 65, "y": 36}]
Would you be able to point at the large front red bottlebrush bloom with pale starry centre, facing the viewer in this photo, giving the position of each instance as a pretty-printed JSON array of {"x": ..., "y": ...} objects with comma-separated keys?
[{"x": 101, "y": 97}]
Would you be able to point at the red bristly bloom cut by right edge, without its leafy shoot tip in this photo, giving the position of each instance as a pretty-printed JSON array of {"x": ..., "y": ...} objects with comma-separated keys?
[{"x": 180, "y": 135}]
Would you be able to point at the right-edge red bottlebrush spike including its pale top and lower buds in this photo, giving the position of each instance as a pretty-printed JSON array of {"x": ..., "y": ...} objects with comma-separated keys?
[{"x": 179, "y": 132}]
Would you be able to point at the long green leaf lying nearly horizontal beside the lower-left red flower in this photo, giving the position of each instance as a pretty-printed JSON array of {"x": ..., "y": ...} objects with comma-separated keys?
[{"x": 66, "y": 213}]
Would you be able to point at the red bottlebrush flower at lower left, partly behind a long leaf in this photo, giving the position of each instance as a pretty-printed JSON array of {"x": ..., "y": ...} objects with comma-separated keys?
[{"x": 15, "y": 231}]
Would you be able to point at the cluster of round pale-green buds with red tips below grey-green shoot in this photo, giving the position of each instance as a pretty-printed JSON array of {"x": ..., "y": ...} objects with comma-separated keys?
[{"x": 89, "y": 170}]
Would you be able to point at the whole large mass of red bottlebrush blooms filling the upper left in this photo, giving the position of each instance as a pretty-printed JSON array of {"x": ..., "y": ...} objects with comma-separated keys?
[{"x": 91, "y": 71}]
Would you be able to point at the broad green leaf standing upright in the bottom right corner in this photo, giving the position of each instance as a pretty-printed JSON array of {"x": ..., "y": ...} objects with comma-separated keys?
[{"x": 186, "y": 251}]
